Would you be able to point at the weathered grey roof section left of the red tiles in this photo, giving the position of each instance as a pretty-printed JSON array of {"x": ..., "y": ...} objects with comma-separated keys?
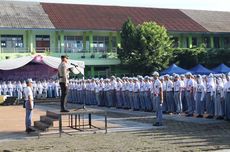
[{"x": 23, "y": 15}]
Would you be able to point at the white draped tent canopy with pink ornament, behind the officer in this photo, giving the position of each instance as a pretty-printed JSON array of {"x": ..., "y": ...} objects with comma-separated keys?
[{"x": 11, "y": 64}]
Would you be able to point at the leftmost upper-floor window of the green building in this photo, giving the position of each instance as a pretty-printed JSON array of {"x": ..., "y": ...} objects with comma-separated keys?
[{"x": 12, "y": 41}]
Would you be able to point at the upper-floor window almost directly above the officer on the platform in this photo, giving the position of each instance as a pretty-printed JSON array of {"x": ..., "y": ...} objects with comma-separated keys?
[{"x": 73, "y": 43}]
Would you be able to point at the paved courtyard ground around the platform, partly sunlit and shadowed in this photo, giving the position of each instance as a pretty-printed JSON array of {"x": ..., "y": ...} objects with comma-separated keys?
[{"x": 134, "y": 133}]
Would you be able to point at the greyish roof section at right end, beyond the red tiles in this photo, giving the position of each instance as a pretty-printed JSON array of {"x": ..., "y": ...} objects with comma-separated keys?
[{"x": 213, "y": 21}]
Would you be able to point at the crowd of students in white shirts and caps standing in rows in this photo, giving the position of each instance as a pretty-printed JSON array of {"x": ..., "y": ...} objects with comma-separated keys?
[{"x": 196, "y": 95}]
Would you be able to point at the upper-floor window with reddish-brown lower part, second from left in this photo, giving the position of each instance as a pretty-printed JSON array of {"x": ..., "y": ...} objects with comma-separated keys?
[{"x": 42, "y": 43}]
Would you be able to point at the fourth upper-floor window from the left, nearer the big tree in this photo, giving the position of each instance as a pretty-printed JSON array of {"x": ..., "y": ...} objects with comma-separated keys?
[{"x": 100, "y": 43}]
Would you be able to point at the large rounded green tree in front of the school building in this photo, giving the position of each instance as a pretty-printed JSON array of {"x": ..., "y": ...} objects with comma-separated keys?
[{"x": 146, "y": 49}]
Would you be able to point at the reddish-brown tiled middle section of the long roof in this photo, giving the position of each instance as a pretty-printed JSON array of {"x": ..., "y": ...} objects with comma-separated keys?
[{"x": 73, "y": 16}]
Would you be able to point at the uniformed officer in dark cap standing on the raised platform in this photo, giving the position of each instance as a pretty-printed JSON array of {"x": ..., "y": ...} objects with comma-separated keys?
[{"x": 63, "y": 74}]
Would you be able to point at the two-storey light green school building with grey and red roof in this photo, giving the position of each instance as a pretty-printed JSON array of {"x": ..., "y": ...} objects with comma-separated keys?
[{"x": 91, "y": 33}]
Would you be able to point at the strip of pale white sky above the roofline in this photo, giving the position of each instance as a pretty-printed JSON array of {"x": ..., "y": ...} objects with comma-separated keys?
[{"x": 218, "y": 5}]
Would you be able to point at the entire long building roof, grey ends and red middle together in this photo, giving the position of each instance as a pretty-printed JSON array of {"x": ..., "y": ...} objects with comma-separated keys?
[{"x": 36, "y": 15}]
